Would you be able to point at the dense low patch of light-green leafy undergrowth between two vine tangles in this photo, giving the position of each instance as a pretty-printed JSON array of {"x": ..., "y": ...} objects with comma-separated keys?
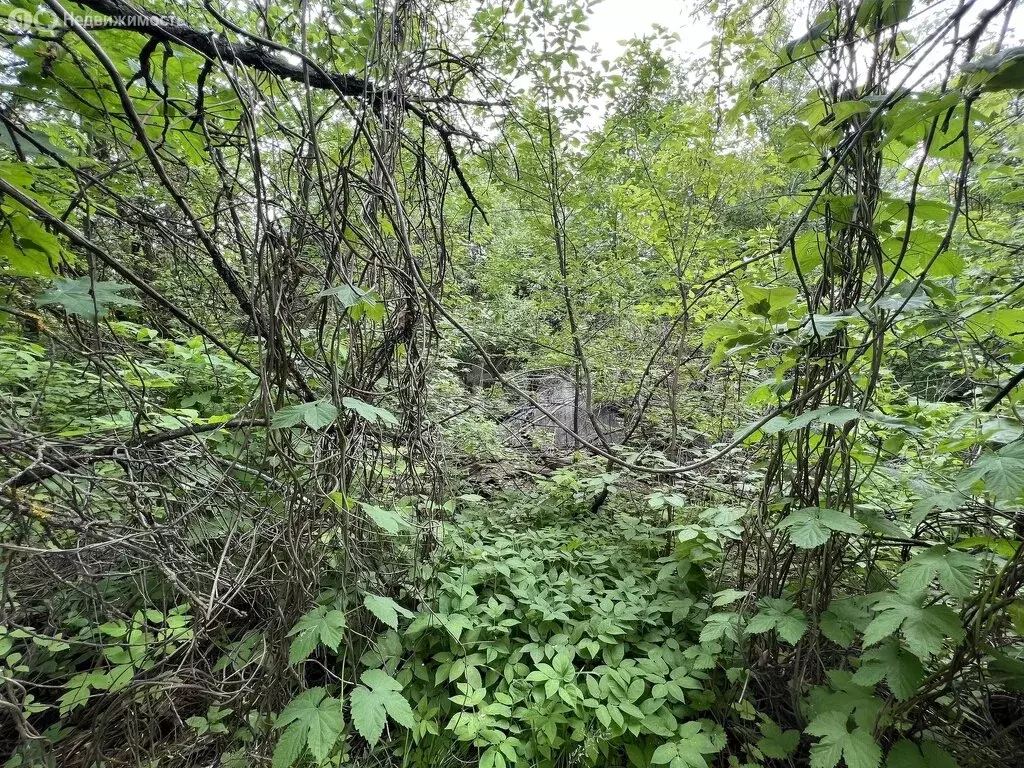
[{"x": 571, "y": 641}]
